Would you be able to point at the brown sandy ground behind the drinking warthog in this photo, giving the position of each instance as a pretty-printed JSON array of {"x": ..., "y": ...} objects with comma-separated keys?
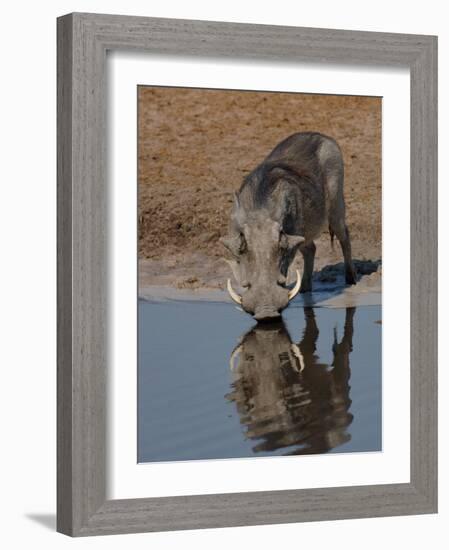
[{"x": 195, "y": 147}]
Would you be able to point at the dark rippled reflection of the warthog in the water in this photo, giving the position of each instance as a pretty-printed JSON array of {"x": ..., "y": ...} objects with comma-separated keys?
[{"x": 285, "y": 397}]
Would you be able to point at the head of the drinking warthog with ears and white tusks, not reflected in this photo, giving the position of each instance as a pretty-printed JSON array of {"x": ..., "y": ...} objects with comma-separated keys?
[{"x": 262, "y": 253}]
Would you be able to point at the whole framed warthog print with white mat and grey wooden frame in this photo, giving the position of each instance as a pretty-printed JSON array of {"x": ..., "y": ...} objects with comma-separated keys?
[{"x": 246, "y": 274}]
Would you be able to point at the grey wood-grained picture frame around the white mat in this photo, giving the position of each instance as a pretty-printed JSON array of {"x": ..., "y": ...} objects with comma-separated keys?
[{"x": 83, "y": 40}]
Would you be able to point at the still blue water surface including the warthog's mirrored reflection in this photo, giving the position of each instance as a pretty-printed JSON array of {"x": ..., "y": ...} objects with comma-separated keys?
[{"x": 212, "y": 384}]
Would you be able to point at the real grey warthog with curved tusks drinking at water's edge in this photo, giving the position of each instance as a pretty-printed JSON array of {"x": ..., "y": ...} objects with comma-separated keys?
[{"x": 281, "y": 207}]
